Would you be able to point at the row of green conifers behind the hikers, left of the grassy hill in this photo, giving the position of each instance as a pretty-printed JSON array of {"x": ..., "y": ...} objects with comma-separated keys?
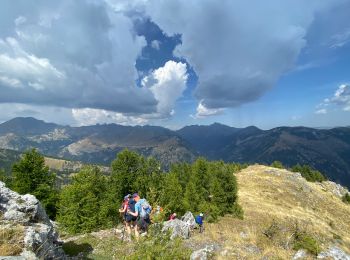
[{"x": 92, "y": 199}]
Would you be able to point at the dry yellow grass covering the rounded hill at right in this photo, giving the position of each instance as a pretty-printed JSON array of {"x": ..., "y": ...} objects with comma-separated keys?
[{"x": 277, "y": 202}]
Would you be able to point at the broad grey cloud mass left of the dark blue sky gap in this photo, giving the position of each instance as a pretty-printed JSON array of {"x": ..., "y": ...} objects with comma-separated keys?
[{"x": 73, "y": 54}]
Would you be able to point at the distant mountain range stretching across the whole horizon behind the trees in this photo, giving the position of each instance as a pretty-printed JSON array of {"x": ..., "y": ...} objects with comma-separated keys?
[{"x": 327, "y": 150}]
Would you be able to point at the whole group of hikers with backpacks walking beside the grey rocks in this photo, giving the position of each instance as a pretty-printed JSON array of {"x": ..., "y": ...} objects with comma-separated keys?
[{"x": 136, "y": 214}]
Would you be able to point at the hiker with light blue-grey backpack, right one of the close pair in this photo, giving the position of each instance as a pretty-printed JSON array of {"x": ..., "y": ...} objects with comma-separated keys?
[{"x": 142, "y": 212}]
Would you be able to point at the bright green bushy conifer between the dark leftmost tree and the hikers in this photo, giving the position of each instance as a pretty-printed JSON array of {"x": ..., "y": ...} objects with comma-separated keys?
[{"x": 84, "y": 205}]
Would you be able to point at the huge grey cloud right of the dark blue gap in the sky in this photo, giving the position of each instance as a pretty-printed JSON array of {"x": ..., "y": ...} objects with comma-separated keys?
[{"x": 239, "y": 49}]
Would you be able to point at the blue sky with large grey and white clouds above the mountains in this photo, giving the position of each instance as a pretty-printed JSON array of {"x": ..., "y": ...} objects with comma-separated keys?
[{"x": 176, "y": 62}]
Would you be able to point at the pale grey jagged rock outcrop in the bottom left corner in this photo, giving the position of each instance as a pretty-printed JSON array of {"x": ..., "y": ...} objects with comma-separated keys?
[{"x": 40, "y": 239}]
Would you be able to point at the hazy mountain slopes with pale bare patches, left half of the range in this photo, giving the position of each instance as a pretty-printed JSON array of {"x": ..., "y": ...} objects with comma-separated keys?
[{"x": 94, "y": 144}]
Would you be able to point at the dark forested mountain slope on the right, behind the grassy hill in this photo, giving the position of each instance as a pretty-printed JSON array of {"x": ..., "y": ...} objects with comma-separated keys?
[{"x": 325, "y": 150}]
